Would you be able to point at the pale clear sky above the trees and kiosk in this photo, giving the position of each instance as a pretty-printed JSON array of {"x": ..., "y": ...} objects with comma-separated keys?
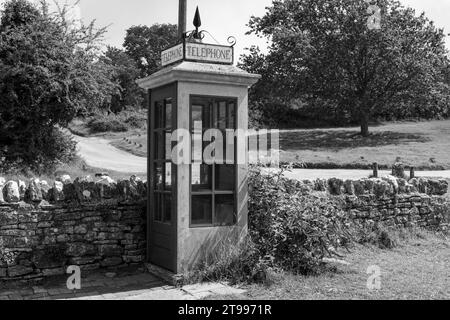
[{"x": 222, "y": 18}]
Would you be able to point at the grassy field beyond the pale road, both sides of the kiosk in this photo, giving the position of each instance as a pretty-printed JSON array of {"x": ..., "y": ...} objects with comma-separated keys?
[{"x": 425, "y": 145}]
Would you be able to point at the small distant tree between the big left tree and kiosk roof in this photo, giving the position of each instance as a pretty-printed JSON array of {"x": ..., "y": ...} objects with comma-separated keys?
[{"x": 125, "y": 72}]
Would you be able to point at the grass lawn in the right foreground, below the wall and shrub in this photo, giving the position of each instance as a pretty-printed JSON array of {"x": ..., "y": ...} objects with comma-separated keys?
[{"x": 417, "y": 269}]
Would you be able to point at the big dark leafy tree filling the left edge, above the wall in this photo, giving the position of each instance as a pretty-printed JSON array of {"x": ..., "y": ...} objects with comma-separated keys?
[{"x": 49, "y": 73}]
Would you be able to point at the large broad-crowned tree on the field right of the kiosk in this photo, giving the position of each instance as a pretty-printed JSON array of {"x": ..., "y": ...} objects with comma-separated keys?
[{"x": 324, "y": 50}]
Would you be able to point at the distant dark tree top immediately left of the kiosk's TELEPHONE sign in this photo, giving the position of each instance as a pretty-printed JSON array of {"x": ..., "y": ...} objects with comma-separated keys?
[{"x": 144, "y": 45}]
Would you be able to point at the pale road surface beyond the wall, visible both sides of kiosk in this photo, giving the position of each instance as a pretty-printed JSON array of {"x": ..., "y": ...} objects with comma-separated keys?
[{"x": 98, "y": 153}]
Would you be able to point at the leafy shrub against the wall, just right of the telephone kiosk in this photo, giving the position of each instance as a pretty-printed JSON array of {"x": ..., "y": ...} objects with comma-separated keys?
[{"x": 291, "y": 230}]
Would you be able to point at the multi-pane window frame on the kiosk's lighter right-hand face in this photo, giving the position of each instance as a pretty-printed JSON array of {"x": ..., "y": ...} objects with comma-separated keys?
[{"x": 213, "y": 192}]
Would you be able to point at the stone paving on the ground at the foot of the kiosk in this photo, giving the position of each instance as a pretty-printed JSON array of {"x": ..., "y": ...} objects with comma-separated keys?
[{"x": 125, "y": 286}]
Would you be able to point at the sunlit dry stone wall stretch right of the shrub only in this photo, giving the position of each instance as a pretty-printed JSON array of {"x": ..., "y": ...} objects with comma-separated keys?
[{"x": 392, "y": 201}]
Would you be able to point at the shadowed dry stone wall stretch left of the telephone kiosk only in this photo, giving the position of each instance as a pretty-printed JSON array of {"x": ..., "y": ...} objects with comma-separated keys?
[{"x": 91, "y": 224}]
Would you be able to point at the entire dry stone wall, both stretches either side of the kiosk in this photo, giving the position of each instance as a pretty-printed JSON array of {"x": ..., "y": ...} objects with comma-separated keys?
[{"x": 102, "y": 224}]
